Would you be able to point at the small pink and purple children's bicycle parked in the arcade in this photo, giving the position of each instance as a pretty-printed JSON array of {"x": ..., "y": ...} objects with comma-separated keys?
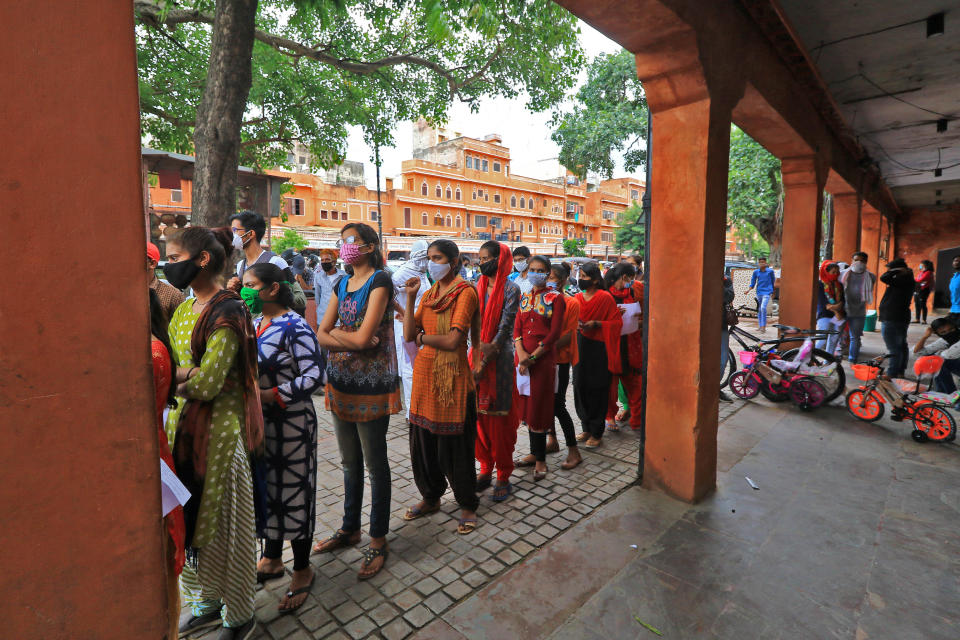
[{"x": 765, "y": 371}]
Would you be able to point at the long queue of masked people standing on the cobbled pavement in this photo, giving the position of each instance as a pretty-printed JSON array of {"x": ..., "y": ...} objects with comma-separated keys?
[{"x": 236, "y": 366}]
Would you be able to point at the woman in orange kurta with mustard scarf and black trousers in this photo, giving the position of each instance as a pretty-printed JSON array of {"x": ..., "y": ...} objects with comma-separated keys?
[{"x": 443, "y": 407}]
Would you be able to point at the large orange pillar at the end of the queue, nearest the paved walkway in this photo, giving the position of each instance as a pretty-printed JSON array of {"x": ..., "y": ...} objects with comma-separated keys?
[{"x": 688, "y": 218}]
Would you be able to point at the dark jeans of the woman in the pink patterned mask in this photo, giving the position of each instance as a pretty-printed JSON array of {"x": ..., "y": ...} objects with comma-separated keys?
[{"x": 361, "y": 442}]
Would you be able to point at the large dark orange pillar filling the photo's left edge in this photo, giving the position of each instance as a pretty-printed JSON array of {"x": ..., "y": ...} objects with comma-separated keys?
[{"x": 79, "y": 467}]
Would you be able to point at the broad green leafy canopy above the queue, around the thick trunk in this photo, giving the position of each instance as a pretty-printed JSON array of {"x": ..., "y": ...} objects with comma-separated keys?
[{"x": 320, "y": 66}]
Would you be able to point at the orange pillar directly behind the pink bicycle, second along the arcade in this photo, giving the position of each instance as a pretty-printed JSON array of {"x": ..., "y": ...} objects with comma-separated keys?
[{"x": 802, "y": 203}]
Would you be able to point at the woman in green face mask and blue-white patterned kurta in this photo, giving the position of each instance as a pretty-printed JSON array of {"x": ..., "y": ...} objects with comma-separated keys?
[{"x": 291, "y": 369}]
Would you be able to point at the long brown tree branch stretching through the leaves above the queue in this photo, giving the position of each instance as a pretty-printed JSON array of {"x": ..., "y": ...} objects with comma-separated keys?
[{"x": 152, "y": 15}]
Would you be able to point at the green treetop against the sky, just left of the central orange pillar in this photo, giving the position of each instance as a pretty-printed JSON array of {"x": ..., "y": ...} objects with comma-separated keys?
[{"x": 609, "y": 113}]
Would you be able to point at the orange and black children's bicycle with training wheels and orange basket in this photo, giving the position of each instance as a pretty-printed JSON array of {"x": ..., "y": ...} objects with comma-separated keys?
[{"x": 930, "y": 418}]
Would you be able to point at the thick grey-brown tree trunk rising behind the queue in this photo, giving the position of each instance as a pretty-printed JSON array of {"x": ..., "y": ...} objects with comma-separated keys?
[{"x": 220, "y": 114}]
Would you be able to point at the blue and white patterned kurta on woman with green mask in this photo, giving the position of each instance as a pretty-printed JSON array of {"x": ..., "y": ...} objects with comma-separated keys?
[{"x": 289, "y": 359}]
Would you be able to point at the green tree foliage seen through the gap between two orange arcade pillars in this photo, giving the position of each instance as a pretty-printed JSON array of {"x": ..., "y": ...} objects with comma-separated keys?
[{"x": 754, "y": 190}]
